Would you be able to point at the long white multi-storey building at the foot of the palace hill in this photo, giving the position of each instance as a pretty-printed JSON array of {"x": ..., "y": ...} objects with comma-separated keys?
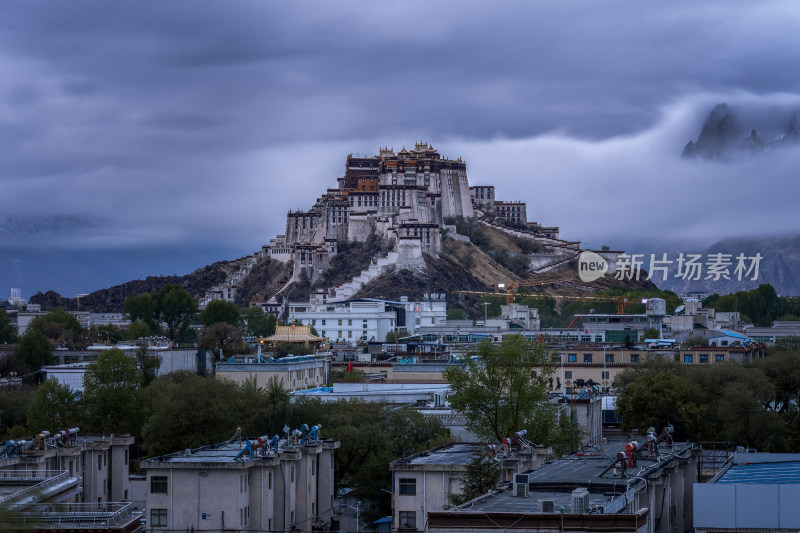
[{"x": 366, "y": 319}]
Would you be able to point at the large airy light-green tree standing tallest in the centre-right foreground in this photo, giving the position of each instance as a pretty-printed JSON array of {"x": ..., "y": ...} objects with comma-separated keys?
[{"x": 495, "y": 390}]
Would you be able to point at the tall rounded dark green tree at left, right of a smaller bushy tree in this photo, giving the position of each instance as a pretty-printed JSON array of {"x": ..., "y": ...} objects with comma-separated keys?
[{"x": 112, "y": 393}]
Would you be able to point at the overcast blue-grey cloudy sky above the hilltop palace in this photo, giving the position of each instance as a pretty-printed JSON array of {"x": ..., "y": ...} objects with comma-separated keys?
[{"x": 201, "y": 123}]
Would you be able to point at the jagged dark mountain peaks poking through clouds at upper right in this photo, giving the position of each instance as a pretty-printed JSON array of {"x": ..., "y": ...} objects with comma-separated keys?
[{"x": 722, "y": 135}]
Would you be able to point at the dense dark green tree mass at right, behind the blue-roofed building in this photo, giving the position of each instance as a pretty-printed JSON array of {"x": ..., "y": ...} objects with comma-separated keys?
[{"x": 746, "y": 404}]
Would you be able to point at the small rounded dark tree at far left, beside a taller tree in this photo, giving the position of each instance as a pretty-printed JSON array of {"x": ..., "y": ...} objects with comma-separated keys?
[{"x": 54, "y": 407}]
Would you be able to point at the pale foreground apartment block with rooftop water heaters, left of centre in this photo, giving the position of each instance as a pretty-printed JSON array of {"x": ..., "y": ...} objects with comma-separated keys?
[{"x": 242, "y": 486}]
